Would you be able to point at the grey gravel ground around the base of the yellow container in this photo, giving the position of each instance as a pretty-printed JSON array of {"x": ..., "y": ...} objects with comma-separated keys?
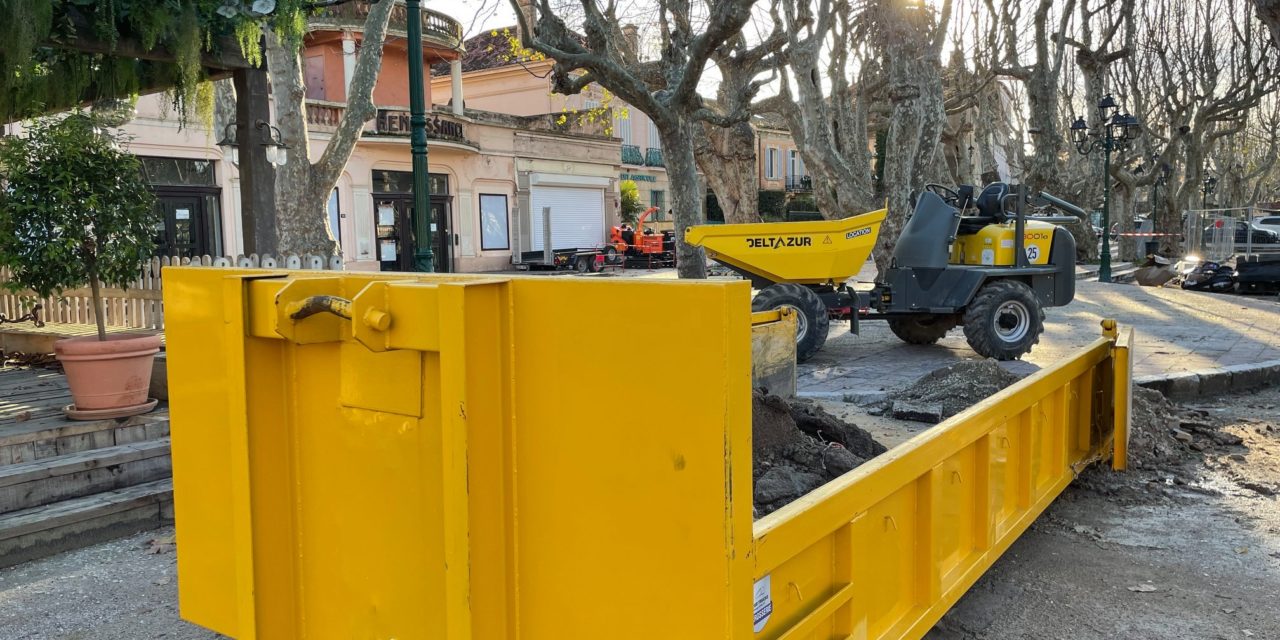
[{"x": 1186, "y": 552}]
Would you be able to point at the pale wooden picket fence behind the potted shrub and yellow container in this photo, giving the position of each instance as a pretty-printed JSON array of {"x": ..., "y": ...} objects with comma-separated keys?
[{"x": 141, "y": 305}]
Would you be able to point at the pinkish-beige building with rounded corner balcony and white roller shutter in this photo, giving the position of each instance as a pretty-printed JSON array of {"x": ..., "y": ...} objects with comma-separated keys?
[{"x": 488, "y": 171}]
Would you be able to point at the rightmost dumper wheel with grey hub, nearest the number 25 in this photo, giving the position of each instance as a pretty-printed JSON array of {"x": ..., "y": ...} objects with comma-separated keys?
[{"x": 1004, "y": 321}]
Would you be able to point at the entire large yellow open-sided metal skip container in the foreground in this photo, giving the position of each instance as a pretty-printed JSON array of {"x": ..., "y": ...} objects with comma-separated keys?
[{"x": 456, "y": 459}]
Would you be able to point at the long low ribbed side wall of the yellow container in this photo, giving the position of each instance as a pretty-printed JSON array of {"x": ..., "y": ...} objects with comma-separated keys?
[{"x": 885, "y": 551}]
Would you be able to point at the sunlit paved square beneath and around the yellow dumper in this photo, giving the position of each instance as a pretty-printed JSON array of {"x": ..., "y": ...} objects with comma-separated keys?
[{"x": 1177, "y": 332}]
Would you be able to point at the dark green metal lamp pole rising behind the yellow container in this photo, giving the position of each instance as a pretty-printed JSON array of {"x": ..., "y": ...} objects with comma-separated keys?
[{"x": 423, "y": 257}]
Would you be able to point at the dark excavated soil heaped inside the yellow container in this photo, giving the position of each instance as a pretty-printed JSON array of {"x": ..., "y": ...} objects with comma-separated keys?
[{"x": 798, "y": 447}]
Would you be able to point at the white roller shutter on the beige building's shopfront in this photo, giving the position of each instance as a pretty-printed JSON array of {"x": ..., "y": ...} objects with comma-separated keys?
[{"x": 578, "y": 217}]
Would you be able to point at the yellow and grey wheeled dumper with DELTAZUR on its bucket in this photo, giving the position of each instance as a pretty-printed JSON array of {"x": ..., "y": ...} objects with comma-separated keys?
[{"x": 963, "y": 259}]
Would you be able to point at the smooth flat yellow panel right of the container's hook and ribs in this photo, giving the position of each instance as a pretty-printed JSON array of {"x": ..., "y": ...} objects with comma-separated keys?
[{"x": 610, "y": 484}]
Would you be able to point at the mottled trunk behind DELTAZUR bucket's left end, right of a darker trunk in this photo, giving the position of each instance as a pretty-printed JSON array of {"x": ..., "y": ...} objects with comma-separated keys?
[{"x": 728, "y": 159}]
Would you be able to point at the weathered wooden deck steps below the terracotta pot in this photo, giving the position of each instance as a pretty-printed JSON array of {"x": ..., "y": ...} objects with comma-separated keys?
[{"x": 66, "y": 484}]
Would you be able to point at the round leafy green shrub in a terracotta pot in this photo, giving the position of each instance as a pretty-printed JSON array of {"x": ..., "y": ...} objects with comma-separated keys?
[{"x": 75, "y": 212}]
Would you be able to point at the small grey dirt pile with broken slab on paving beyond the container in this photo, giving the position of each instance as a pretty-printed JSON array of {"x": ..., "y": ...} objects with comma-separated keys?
[{"x": 945, "y": 392}]
